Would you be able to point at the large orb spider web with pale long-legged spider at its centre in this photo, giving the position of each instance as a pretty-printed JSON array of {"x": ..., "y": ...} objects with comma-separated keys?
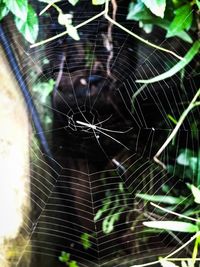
[{"x": 102, "y": 148}]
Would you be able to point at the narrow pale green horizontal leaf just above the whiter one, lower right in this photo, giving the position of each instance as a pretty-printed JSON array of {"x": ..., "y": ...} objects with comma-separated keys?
[{"x": 162, "y": 199}]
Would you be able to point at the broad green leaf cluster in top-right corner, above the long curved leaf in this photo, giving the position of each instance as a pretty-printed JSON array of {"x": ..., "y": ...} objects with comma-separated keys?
[{"x": 176, "y": 17}]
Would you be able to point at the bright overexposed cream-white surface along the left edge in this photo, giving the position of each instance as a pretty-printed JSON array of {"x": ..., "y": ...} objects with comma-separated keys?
[{"x": 14, "y": 161}]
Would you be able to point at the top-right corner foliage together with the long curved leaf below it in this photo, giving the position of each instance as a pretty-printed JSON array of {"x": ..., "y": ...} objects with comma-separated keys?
[{"x": 178, "y": 18}]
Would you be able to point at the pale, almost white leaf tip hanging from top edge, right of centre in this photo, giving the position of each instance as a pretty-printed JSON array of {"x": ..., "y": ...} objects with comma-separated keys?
[{"x": 157, "y": 7}]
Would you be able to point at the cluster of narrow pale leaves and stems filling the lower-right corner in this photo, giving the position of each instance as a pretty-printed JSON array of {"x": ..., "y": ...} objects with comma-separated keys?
[{"x": 186, "y": 207}]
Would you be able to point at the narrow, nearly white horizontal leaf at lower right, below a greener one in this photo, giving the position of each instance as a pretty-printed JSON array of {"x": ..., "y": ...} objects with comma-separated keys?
[{"x": 173, "y": 226}]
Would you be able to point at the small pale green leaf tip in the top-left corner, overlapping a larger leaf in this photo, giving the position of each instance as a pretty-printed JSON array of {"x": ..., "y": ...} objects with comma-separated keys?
[{"x": 18, "y": 7}]
